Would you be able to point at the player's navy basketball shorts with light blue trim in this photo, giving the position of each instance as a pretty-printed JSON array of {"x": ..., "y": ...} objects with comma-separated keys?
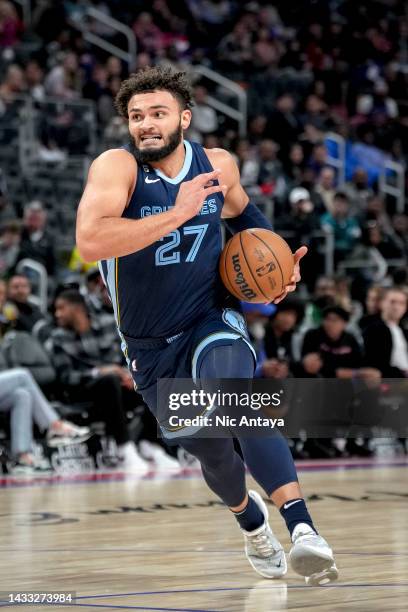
[{"x": 180, "y": 356}]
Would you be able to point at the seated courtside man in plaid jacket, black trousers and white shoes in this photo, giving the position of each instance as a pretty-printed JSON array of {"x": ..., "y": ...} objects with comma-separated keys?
[{"x": 87, "y": 357}]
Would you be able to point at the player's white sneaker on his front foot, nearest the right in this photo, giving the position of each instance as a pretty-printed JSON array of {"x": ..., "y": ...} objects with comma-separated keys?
[{"x": 311, "y": 556}]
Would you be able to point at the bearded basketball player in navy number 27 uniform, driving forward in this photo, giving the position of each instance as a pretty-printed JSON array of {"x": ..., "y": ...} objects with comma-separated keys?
[{"x": 151, "y": 214}]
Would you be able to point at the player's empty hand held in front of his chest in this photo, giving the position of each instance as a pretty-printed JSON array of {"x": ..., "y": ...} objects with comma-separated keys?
[{"x": 192, "y": 194}]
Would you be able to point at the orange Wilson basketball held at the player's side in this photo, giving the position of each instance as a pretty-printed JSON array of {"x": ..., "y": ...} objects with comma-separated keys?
[{"x": 255, "y": 265}]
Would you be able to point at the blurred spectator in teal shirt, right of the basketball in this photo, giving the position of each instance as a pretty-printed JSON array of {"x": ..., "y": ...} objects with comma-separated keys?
[{"x": 345, "y": 228}]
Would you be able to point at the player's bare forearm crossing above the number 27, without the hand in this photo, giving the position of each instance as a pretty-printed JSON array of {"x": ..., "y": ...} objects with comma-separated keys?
[{"x": 116, "y": 236}]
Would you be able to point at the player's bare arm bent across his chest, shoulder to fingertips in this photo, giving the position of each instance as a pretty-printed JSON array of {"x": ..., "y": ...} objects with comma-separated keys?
[{"x": 101, "y": 231}]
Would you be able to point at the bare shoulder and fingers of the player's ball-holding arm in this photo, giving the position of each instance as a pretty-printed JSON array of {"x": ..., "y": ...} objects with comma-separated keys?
[{"x": 236, "y": 200}]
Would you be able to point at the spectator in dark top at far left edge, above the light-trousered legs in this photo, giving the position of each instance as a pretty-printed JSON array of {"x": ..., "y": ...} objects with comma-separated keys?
[{"x": 18, "y": 293}]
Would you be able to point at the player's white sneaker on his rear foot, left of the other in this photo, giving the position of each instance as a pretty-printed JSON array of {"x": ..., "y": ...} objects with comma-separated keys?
[{"x": 263, "y": 550}]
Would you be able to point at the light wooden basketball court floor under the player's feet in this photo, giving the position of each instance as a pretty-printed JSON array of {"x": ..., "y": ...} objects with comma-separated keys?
[{"x": 164, "y": 543}]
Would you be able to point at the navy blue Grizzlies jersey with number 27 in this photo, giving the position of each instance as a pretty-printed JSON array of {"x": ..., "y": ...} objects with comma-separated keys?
[{"x": 163, "y": 288}]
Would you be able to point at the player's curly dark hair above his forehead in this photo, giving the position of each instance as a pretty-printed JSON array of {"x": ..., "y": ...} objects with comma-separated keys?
[{"x": 153, "y": 79}]
